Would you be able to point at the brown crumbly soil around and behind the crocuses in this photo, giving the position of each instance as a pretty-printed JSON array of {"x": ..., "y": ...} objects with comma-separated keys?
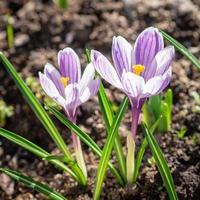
[{"x": 40, "y": 30}]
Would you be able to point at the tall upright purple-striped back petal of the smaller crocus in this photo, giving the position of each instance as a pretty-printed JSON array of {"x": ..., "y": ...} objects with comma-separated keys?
[{"x": 69, "y": 64}]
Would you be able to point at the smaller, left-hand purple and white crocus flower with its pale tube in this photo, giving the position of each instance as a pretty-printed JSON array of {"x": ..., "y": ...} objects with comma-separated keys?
[{"x": 66, "y": 86}]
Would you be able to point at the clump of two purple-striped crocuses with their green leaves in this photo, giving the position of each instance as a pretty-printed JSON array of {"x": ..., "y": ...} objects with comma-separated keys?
[{"x": 140, "y": 72}]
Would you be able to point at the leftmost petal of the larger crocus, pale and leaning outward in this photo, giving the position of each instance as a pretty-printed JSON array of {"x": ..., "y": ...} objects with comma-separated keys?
[{"x": 105, "y": 69}]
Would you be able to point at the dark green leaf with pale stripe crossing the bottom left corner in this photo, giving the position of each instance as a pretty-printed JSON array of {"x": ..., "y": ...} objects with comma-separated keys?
[{"x": 29, "y": 182}]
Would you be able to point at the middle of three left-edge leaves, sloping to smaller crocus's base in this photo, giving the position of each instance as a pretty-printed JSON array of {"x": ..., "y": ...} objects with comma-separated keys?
[{"x": 35, "y": 149}]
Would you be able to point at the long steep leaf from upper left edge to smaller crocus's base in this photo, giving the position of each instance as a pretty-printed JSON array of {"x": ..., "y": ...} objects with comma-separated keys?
[{"x": 41, "y": 115}]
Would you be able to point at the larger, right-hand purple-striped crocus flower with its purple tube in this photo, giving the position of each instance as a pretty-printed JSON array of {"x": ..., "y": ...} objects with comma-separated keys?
[{"x": 140, "y": 72}]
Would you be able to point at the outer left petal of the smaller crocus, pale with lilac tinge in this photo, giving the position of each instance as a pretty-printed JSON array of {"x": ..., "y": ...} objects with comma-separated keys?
[{"x": 50, "y": 89}]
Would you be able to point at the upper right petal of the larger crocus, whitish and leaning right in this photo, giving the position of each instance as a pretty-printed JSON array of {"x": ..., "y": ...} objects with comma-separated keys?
[{"x": 164, "y": 59}]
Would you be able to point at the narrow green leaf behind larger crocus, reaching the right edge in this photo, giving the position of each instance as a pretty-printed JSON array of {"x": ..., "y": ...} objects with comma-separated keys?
[{"x": 183, "y": 50}]
